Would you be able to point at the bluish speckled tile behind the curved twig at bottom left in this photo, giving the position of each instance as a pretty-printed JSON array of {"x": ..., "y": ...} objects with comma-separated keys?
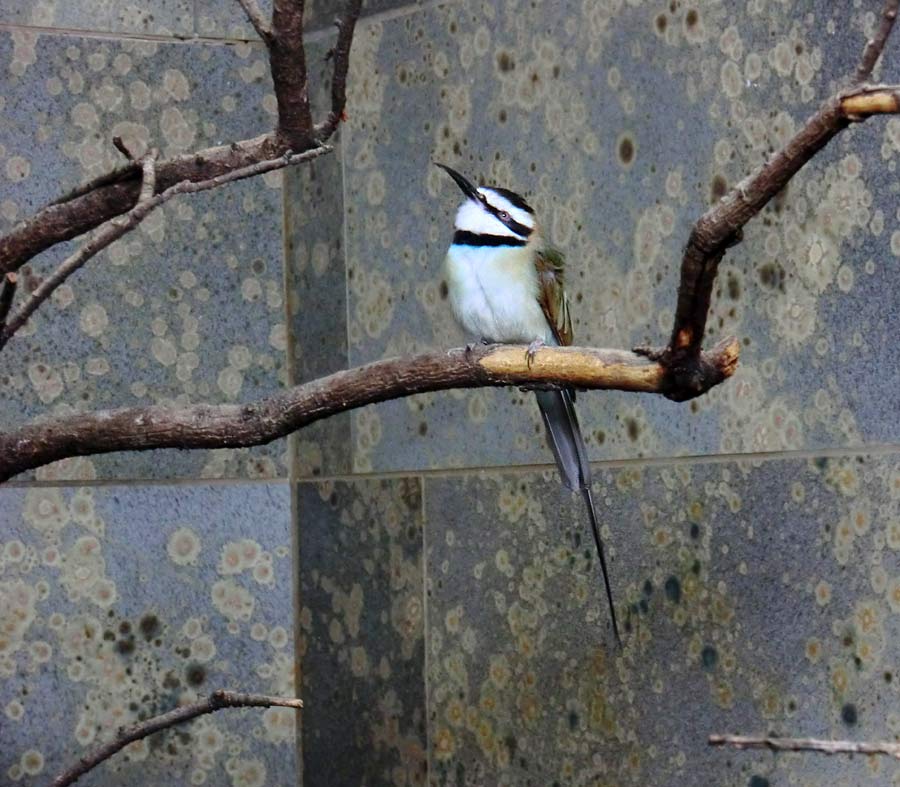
[{"x": 117, "y": 603}]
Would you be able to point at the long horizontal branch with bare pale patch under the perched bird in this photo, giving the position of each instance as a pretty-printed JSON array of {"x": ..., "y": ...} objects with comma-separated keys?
[{"x": 231, "y": 426}]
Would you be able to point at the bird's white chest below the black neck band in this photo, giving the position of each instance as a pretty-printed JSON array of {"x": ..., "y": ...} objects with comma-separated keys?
[{"x": 494, "y": 293}]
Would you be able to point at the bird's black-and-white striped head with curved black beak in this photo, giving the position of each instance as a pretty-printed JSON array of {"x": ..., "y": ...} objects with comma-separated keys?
[{"x": 492, "y": 213}]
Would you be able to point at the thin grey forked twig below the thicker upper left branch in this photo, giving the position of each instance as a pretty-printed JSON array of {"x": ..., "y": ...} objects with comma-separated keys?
[{"x": 120, "y": 225}]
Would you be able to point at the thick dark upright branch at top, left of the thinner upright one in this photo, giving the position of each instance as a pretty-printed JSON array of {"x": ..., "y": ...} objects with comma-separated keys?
[{"x": 287, "y": 60}]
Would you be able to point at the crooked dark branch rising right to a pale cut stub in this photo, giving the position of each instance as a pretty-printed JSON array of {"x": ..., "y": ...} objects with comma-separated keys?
[{"x": 720, "y": 227}]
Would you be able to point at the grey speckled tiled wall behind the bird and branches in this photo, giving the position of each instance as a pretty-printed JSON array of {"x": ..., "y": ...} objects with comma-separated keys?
[{"x": 416, "y": 565}]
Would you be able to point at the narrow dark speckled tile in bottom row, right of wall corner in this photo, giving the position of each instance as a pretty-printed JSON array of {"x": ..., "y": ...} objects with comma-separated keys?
[{"x": 361, "y": 633}]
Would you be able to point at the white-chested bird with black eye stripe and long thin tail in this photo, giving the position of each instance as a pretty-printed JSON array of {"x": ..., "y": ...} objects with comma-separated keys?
[{"x": 506, "y": 284}]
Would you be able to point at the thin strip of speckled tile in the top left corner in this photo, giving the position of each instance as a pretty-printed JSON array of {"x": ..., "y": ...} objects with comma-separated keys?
[{"x": 161, "y": 17}]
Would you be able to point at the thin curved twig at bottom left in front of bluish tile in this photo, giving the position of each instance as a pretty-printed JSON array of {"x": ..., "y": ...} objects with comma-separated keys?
[{"x": 216, "y": 701}]
